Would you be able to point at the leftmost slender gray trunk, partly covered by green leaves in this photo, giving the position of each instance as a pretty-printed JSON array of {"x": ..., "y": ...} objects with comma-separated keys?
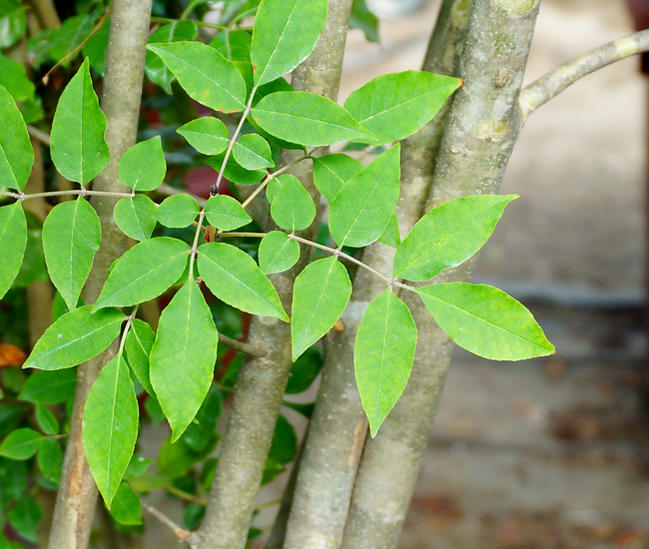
[{"x": 129, "y": 30}]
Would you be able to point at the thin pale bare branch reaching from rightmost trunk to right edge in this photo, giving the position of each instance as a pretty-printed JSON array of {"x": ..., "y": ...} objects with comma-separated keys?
[{"x": 553, "y": 83}]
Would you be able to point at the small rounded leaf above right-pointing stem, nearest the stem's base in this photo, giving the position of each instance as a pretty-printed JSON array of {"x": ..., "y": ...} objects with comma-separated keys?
[{"x": 292, "y": 208}]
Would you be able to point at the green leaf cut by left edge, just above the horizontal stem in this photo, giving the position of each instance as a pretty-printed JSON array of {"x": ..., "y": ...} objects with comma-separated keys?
[{"x": 16, "y": 153}]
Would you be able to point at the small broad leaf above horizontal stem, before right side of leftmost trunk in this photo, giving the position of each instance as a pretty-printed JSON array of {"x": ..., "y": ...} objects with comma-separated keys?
[{"x": 143, "y": 167}]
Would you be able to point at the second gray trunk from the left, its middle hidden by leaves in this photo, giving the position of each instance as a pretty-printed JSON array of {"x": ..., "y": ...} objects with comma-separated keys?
[{"x": 261, "y": 383}]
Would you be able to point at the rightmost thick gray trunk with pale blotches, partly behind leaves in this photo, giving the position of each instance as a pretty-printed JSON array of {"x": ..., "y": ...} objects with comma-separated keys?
[{"x": 483, "y": 125}]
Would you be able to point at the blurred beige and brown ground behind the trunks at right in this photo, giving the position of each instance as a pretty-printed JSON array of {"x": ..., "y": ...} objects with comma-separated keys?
[{"x": 550, "y": 453}]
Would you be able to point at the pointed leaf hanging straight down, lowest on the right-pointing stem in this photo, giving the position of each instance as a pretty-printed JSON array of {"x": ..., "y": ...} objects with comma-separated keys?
[{"x": 384, "y": 351}]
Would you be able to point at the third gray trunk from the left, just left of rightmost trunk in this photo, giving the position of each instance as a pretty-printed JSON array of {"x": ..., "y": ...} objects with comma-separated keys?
[{"x": 338, "y": 428}]
